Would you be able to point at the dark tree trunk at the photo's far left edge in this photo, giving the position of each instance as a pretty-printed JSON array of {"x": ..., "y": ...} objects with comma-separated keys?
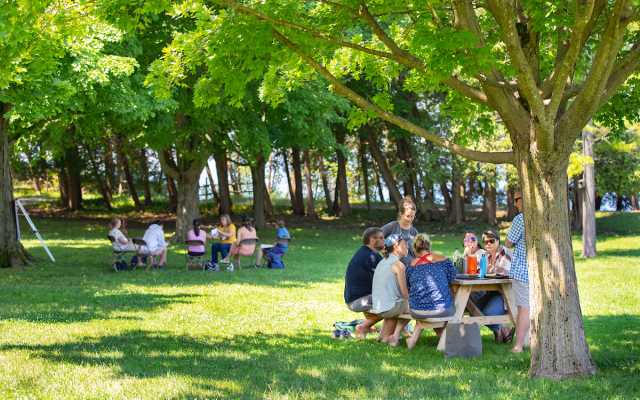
[{"x": 12, "y": 254}]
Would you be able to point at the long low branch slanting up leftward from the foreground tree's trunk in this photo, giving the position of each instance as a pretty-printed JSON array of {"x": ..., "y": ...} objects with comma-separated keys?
[{"x": 340, "y": 88}]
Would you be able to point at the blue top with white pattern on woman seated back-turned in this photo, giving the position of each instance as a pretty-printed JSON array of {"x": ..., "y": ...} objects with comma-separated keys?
[{"x": 429, "y": 285}]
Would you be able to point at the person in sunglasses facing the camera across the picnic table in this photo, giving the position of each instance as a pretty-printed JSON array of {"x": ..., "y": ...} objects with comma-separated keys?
[{"x": 492, "y": 303}]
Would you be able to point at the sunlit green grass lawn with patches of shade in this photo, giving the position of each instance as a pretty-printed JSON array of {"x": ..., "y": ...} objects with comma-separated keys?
[{"x": 76, "y": 329}]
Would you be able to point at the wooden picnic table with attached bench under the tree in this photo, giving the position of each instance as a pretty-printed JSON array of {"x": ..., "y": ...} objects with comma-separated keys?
[{"x": 462, "y": 289}]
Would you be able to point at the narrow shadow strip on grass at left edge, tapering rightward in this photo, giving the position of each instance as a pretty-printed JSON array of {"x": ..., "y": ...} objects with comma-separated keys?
[{"x": 81, "y": 305}]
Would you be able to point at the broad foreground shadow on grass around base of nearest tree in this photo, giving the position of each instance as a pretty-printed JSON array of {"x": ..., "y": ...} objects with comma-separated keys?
[{"x": 313, "y": 364}]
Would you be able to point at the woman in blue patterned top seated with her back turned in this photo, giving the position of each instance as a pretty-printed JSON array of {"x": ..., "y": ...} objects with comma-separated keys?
[{"x": 429, "y": 278}]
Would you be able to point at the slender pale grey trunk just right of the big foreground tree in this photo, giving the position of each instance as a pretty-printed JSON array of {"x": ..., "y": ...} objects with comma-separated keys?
[{"x": 588, "y": 199}]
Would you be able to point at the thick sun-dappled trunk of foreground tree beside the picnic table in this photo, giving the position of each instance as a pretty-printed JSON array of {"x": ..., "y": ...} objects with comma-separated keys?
[{"x": 558, "y": 345}]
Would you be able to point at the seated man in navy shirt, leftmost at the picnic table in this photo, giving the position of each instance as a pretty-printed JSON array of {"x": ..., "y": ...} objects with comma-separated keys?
[{"x": 359, "y": 277}]
